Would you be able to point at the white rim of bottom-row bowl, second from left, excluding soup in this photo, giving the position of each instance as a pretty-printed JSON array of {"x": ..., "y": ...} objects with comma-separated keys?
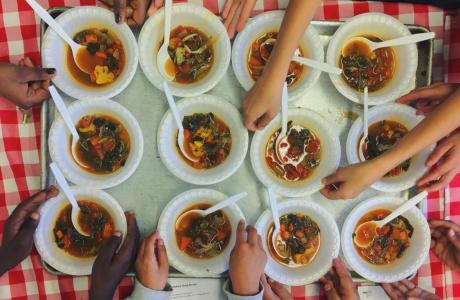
[{"x": 181, "y": 261}]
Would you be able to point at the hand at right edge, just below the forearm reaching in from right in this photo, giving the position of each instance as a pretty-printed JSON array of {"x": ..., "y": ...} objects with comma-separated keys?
[{"x": 444, "y": 163}]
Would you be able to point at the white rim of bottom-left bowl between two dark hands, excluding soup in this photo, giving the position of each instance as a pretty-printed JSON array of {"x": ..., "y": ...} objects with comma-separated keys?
[{"x": 44, "y": 236}]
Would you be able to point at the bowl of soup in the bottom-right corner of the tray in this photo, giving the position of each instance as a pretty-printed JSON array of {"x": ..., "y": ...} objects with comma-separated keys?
[{"x": 396, "y": 251}]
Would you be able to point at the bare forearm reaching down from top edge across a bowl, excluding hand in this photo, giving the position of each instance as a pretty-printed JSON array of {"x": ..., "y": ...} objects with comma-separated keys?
[{"x": 296, "y": 19}]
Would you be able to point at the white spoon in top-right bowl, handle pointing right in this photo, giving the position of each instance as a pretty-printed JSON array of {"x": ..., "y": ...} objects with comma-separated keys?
[{"x": 371, "y": 46}]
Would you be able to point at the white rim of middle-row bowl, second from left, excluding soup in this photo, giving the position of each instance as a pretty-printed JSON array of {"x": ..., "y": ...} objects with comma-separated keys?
[{"x": 167, "y": 140}]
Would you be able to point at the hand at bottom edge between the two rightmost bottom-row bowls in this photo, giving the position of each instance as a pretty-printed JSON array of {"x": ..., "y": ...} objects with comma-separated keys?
[{"x": 338, "y": 283}]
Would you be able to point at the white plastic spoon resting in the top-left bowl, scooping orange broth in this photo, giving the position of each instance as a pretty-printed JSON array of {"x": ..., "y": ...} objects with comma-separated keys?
[{"x": 77, "y": 49}]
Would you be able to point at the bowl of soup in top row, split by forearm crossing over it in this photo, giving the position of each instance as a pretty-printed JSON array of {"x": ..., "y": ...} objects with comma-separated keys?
[{"x": 252, "y": 49}]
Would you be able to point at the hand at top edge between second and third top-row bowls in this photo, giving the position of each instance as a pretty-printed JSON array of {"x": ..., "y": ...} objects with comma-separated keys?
[{"x": 235, "y": 14}]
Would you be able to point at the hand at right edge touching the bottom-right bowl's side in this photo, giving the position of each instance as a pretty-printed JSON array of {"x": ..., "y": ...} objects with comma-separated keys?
[{"x": 445, "y": 242}]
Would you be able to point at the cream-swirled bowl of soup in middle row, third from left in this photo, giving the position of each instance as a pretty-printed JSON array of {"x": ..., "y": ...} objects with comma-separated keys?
[{"x": 309, "y": 152}]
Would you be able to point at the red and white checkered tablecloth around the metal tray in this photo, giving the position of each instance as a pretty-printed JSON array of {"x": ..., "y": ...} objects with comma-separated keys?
[{"x": 20, "y": 143}]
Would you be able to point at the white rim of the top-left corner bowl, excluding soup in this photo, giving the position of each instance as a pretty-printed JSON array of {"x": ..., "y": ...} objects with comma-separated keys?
[{"x": 54, "y": 52}]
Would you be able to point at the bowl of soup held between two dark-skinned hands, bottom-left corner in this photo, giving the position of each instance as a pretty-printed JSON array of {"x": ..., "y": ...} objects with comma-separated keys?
[{"x": 58, "y": 242}]
